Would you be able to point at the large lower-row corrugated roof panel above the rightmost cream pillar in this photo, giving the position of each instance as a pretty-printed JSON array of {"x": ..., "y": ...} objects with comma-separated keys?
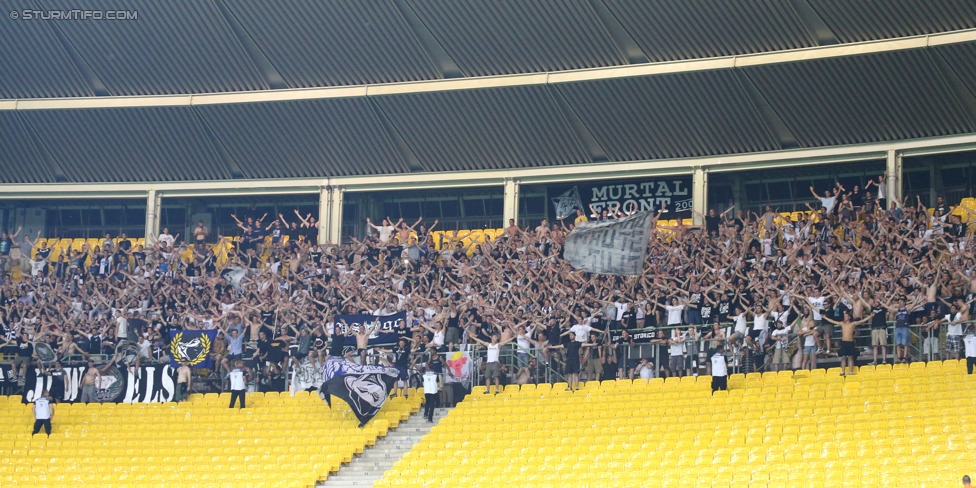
[{"x": 880, "y": 97}]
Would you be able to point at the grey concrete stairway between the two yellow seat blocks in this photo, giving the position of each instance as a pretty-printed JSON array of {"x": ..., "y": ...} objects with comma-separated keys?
[{"x": 369, "y": 466}]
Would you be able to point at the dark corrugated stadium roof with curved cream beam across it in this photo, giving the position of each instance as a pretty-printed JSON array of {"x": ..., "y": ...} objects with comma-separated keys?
[{"x": 657, "y": 106}]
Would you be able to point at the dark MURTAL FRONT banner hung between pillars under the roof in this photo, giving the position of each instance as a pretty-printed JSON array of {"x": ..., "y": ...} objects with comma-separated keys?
[{"x": 624, "y": 196}]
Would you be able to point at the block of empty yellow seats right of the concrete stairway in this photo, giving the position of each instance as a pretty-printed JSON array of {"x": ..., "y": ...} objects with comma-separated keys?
[{"x": 804, "y": 428}]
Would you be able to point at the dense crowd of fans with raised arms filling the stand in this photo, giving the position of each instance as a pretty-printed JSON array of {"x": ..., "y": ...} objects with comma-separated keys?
[{"x": 750, "y": 282}]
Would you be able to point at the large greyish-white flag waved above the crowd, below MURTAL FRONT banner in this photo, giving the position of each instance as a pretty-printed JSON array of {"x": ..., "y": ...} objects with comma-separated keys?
[{"x": 613, "y": 247}]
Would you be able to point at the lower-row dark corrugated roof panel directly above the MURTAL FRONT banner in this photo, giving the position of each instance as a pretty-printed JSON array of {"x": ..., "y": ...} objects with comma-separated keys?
[{"x": 671, "y": 116}]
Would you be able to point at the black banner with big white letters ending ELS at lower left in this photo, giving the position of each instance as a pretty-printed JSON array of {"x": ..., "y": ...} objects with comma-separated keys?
[{"x": 153, "y": 383}]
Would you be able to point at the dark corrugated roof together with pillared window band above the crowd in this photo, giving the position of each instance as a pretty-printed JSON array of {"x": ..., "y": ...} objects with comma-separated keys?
[{"x": 344, "y": 104}]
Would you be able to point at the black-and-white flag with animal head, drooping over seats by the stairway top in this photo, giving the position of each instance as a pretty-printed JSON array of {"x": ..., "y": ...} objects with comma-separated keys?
[{"x": 364, "y": 388}]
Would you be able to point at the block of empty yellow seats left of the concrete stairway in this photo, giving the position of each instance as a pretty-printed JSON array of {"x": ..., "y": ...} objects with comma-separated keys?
[{"x": 276, "y": 441}]
